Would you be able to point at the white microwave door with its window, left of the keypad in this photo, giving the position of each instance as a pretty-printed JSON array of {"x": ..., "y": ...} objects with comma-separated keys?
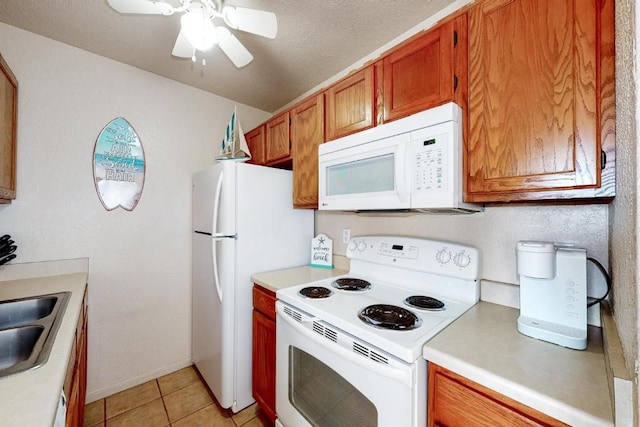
[{"x": 370, "y": 176}]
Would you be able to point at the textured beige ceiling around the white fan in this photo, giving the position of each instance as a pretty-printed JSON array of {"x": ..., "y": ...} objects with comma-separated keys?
[{"x": 316, "y": 40}]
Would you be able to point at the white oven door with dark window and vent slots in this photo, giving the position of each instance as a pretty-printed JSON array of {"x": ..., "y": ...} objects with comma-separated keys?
[{"x": 325, "y": 377}]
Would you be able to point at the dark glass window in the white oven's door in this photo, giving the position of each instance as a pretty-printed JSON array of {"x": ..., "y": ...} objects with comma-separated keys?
[{"x": 325, "y": 398}]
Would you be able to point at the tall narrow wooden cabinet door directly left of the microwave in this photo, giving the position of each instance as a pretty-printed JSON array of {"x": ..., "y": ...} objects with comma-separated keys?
[{"x": 307, "y": 134}]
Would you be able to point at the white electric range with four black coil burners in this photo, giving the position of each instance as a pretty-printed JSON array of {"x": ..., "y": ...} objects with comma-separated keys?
[{"x": 363, "y": 333}]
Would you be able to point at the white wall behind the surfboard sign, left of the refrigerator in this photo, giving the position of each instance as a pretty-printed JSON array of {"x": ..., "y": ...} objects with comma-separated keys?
[{"x": 139, "y": 280}]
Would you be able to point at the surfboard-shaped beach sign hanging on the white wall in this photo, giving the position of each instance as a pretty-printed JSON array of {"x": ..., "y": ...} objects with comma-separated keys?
[{"x": 118, "y": 166}]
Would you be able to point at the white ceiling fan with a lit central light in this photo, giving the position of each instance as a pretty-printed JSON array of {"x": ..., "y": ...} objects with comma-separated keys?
[{"x": 197, "y": 30}]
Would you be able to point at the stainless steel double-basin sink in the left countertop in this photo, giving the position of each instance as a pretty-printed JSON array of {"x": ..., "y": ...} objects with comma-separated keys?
[{"x": 28, "y": 327}]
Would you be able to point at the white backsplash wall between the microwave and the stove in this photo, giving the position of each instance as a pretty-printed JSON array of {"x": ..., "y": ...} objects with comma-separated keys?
[{"x": 495, "y": 232}]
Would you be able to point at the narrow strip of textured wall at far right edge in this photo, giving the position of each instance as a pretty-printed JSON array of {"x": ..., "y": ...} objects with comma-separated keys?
[{"x": 624, "y": 214}]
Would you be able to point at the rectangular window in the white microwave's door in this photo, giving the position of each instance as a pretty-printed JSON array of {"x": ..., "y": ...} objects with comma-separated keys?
[{"x": 370, "y": 175}]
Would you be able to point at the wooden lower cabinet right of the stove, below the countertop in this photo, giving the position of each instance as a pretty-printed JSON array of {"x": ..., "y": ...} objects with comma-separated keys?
[{"x": 454, "y": 400}]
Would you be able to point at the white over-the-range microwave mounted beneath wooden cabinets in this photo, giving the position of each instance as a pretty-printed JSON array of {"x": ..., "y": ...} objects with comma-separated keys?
[{"x": 411, "y": 164}]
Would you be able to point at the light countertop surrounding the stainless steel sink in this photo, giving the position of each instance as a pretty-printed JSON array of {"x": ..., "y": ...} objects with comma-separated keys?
[{"x": 30, "y": 399}]
